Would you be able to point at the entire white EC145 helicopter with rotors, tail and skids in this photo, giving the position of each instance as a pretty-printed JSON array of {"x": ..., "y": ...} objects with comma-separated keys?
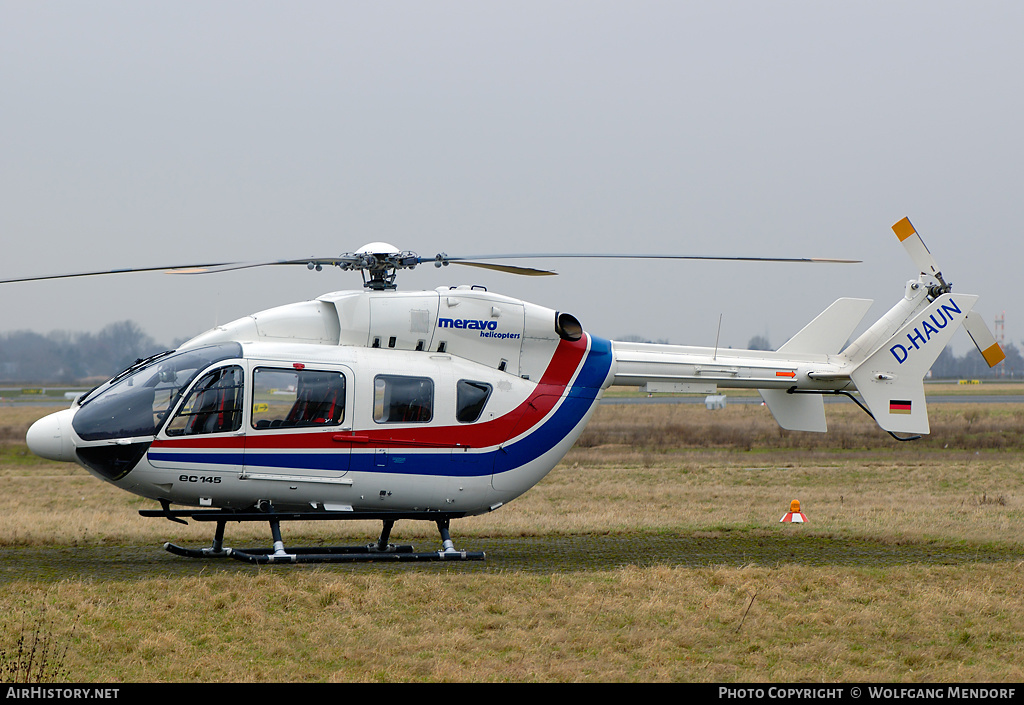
[{"x": 388, "y": 405}]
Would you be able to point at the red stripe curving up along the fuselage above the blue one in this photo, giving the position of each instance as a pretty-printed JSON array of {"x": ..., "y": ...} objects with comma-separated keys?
[{"x": 565, "y": 364}]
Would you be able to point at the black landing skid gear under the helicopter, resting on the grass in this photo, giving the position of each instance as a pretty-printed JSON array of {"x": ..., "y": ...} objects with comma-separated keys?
[{"x": 382, "y": 551}]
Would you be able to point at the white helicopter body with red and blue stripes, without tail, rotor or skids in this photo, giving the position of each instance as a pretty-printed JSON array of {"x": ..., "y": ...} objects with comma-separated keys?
[{"x": 433, "y": 412}]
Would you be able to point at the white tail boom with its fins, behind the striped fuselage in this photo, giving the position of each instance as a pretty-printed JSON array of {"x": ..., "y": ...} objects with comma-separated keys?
[{"x": 889, "y": 375}]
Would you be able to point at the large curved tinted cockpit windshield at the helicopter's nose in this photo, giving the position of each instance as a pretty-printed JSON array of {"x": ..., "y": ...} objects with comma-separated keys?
[{"x": 136, "y": 402}]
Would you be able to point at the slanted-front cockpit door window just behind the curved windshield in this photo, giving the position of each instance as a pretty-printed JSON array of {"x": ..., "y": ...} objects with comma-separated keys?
[{"x": 214, "y": 406}]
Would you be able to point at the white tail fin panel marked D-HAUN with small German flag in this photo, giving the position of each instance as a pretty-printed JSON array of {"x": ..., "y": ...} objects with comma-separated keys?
[{"x": 891, "y": 380}]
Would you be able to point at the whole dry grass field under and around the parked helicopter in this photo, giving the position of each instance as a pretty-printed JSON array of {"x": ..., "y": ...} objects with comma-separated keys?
[{"x": 653, "y": 554}]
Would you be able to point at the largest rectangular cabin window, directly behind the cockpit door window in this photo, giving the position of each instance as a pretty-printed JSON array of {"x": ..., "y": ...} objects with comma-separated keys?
[{"x": 292, "y": 399}]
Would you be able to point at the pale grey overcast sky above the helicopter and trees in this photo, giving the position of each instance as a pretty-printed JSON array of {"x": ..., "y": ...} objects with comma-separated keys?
[{"x": 166, "y": 134}]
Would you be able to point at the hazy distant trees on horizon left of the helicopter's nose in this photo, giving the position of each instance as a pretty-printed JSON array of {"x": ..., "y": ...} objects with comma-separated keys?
[{"x": 69, "y": 358}]
